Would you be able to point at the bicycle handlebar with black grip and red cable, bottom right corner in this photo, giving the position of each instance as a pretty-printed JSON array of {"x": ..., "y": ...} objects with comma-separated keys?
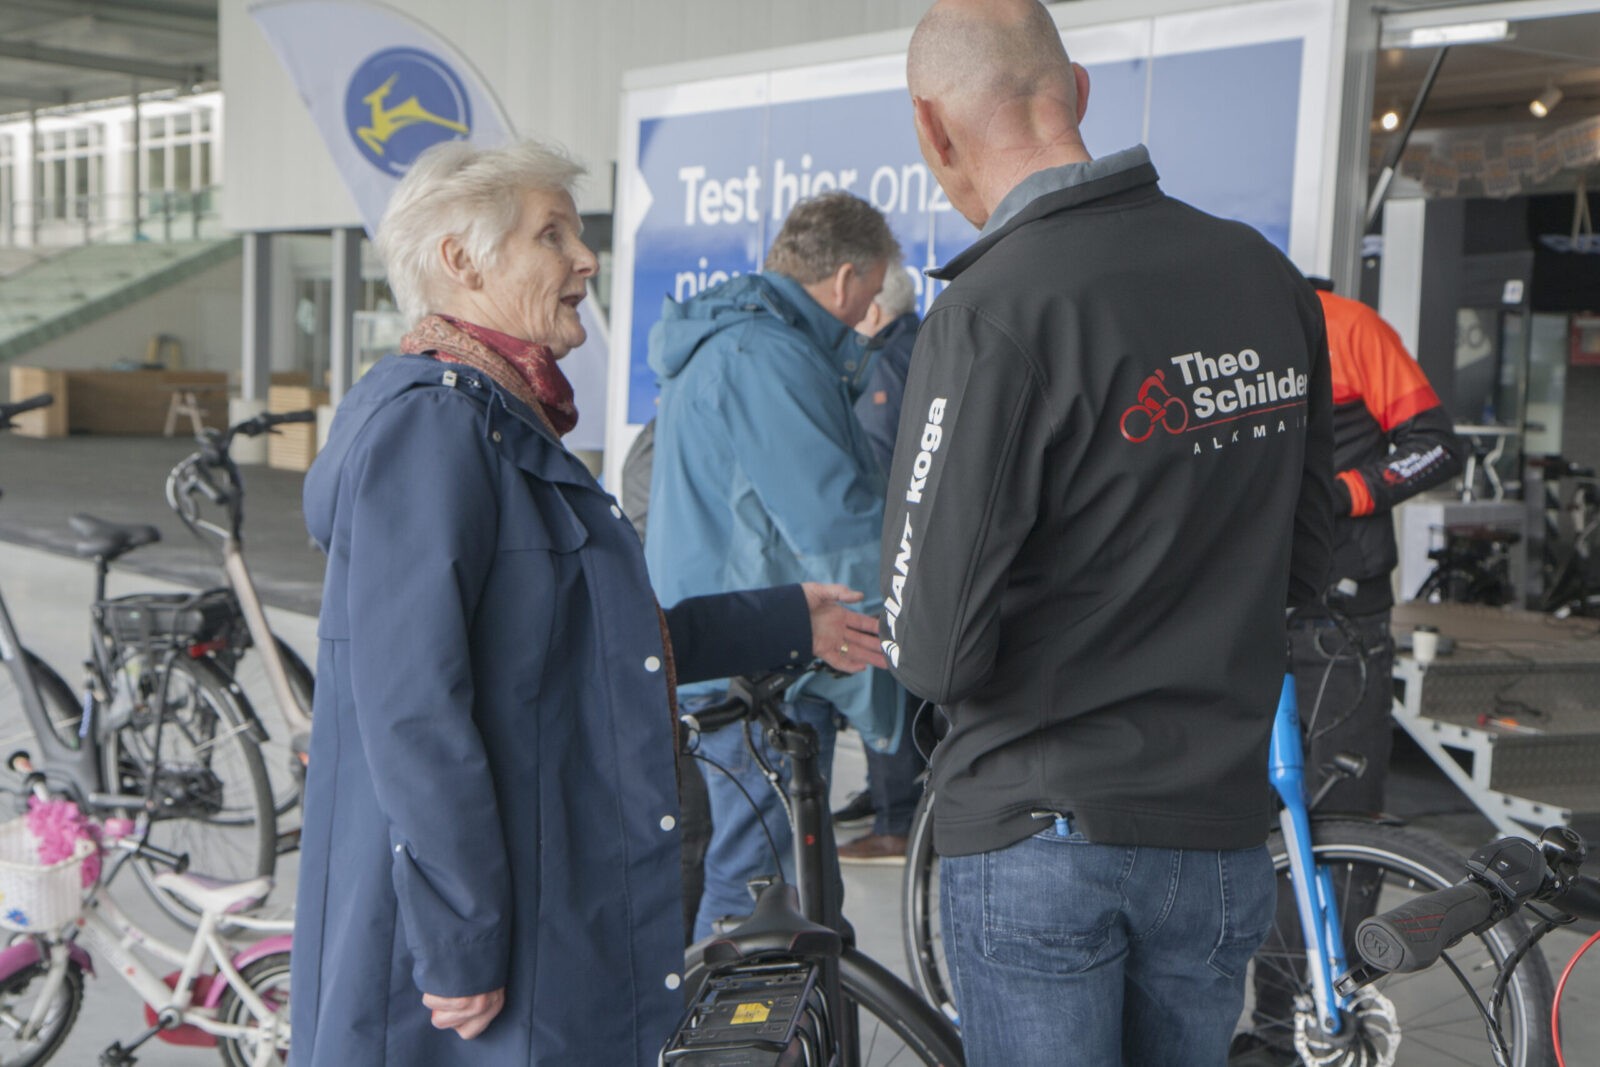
[{"x": 1502, "y": 879}]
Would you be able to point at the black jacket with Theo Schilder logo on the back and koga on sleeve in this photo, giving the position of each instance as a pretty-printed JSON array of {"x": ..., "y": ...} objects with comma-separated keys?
[{"x": 1113, "y": 476}]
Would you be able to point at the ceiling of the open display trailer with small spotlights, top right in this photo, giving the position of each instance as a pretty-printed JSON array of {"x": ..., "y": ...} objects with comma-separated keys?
[{"x": 1490, "y": 86}]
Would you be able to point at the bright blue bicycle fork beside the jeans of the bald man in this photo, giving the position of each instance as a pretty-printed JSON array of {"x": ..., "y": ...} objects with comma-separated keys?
[{"x": 1314, "y": 895}]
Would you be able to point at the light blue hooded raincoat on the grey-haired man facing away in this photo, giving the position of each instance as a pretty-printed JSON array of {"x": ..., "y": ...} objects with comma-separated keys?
[{"x": 762, "y": 471}]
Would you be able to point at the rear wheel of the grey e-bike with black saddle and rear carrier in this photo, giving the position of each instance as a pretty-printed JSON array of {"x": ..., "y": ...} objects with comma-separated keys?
[{"x": 210, "y": 785}]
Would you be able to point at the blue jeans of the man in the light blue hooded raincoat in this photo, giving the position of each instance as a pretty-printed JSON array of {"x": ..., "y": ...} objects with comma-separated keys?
[{"x": 738, "y": 849}]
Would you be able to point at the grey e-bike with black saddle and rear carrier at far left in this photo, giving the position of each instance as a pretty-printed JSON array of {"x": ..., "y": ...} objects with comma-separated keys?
[{"x": 161, "y": 724}]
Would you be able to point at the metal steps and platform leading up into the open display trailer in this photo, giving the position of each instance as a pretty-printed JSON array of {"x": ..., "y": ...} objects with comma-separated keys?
[{"x": 1511, "y": 714}]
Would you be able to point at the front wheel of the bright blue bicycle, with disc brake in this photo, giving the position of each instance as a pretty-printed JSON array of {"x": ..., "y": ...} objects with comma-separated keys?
[{"x": 1402, "y": 1018}]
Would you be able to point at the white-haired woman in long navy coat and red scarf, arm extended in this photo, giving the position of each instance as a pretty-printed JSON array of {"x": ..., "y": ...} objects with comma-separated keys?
[{"x": 490, "y": 852}]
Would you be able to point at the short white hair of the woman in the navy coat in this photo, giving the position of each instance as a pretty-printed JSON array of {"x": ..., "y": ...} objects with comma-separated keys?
[{"x": 474, "y": 194}]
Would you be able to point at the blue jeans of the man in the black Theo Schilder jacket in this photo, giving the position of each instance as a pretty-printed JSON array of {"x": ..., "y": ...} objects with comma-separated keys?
[{"x": 1068, "y": 953}]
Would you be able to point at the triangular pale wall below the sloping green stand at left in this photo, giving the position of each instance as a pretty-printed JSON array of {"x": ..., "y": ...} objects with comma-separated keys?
[{"x": 202, "y": 313}]
